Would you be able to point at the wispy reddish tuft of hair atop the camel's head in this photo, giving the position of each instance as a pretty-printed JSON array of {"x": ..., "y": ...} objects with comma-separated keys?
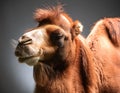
[{"x": 48, "y": 13}]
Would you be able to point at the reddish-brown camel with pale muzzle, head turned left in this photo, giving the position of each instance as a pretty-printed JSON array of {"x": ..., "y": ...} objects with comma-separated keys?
[{"x": 64, "y": 61}]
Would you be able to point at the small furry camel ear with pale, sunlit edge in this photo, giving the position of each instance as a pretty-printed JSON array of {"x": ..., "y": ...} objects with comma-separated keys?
[{"x": 77, "y": 28}]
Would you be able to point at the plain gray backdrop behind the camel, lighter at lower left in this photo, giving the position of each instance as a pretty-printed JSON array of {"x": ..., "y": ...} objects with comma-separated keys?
[{"x": 16, "y": 16}]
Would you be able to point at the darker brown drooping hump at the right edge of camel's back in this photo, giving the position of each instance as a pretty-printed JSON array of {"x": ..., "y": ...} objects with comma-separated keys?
[{"x": 113, "y": 30}]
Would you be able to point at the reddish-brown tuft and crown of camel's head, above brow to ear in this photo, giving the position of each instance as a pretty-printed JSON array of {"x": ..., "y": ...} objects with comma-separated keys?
[{"x": 54, "y": 15}]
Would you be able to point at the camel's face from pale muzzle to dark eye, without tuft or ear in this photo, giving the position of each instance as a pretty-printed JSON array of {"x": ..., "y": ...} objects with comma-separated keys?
[{"x": 40, "y": 44}]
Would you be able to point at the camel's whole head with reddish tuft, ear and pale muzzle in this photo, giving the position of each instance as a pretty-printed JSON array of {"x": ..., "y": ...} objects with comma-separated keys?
[{"x": 51, "y": 39}]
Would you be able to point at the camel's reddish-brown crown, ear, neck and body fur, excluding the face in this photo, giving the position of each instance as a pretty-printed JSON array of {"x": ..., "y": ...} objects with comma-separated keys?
[{"x": 90, "y": 65}]
